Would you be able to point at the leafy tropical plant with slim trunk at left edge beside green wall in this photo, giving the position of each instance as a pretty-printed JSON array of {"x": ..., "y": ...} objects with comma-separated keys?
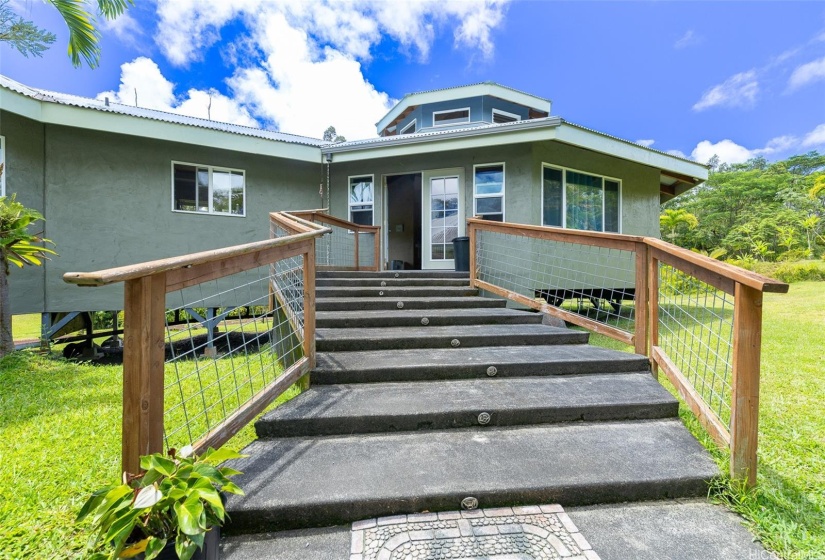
[{"x": 18, "y": 247}]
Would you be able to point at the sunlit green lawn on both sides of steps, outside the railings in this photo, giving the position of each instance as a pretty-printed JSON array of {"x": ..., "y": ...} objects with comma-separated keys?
[{"x": 60, "y": 434}]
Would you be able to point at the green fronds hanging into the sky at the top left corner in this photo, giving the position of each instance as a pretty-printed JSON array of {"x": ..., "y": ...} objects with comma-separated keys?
[{"x": 84, "y": 38}]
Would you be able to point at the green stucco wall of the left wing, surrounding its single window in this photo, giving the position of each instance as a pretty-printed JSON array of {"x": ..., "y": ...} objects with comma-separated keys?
[{"x": 108, "y": 204}]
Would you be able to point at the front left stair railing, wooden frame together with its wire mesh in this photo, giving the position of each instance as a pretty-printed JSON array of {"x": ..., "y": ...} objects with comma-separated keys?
[{"x": 266, "y": 293}]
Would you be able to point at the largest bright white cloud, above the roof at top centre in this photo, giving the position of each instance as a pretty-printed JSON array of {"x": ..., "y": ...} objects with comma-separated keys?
[{"x": 305, "y": 70}]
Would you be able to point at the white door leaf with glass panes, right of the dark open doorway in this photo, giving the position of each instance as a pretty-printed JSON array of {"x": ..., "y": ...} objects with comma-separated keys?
[{"x": 443, "y": 216}]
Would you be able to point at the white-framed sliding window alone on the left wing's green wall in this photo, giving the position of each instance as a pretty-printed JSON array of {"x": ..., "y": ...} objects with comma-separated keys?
[{"x": 208, "y": 190}]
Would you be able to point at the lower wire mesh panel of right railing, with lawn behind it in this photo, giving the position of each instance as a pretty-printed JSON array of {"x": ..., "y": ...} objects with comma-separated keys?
[{"x": 695, "y": 323}]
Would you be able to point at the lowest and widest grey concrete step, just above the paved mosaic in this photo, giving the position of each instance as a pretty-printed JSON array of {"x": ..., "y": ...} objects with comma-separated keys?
[{"x": 315, "y": 482}]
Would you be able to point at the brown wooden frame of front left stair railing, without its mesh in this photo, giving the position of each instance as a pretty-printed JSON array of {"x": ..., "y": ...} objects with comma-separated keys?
[{"x": 146, "y": 287}]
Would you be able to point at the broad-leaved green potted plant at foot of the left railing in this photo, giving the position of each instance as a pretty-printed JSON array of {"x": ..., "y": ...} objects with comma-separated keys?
[{"x": 166, "y": 512}]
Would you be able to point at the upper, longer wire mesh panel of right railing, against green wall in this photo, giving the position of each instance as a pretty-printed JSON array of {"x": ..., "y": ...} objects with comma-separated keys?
[{"x": 596, "y": 282}]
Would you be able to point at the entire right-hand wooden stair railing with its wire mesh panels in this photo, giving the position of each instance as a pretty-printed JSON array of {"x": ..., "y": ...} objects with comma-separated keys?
[{"x": 696, "y": 318}]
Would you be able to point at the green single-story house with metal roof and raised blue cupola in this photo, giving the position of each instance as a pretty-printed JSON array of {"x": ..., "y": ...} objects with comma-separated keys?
[{"x": 119, "y": 184}]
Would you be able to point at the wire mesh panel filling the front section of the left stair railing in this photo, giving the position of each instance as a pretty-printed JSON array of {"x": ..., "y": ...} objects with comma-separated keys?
[{"x": 226, "y": 341}]
